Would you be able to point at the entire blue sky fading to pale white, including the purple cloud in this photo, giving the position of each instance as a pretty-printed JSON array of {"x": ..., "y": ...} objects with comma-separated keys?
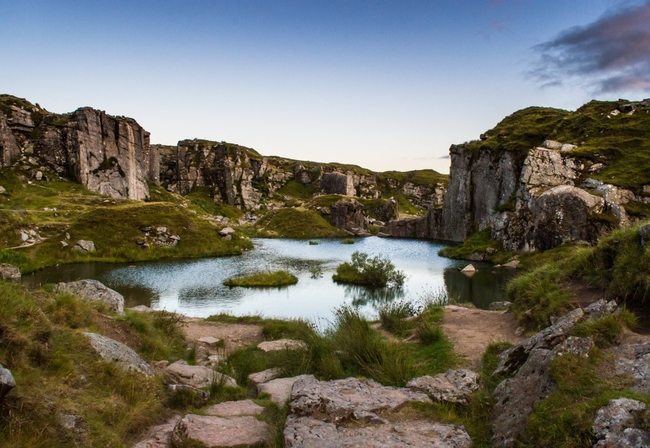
[{"x": 384, "y": 84}]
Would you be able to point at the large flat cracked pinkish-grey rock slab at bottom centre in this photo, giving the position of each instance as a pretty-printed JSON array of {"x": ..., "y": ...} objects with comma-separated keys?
[{"x": 352, "y": 413}]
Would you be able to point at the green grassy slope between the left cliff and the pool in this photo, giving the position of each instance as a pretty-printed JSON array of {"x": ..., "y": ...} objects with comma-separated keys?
[{"x": 58, "y": 207}]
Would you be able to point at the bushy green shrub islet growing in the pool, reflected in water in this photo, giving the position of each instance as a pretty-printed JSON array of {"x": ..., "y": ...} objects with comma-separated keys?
[{"x": 377, "y": 271}]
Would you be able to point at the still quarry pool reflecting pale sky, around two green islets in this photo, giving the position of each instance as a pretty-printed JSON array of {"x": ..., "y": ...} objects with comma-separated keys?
[{"x": 194, "y": 287}]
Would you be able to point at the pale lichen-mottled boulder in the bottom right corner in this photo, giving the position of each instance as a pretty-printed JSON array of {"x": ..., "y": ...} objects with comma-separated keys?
[{"x": 614, "y": 425}]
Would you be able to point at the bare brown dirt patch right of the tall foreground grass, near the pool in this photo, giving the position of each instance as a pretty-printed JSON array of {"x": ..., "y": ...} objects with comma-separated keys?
[{"x": 471, "y": 330}]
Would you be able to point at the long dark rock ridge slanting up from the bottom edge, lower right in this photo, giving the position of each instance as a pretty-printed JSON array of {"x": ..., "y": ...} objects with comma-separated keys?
[{"x": 515, "y": 398}]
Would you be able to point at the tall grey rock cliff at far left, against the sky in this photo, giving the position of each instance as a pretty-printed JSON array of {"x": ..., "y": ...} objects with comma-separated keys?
[{"x": 106, "y": 154}]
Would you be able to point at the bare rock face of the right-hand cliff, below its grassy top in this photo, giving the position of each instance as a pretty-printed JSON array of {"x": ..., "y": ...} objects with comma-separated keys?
[{"x": 532, "y": 203}]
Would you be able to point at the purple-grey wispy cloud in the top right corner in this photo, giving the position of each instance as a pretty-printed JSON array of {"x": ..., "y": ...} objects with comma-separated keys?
[{"x": 611, "y": 54}]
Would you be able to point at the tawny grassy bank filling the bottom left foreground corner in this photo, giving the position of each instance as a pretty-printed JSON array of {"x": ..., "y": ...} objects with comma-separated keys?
[{"x": 65, "y": 395}]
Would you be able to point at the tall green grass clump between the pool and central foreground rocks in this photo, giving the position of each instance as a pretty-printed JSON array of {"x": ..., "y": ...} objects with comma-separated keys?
[{"x": 350, "y": 347}]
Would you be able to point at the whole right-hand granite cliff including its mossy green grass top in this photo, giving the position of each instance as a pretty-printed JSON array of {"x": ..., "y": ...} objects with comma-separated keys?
[{"x": 543, "y": 177}]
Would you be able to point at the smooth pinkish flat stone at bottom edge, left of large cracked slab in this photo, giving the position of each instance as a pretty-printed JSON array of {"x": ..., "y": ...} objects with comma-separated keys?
[{"x": 211, "y": 431}]
